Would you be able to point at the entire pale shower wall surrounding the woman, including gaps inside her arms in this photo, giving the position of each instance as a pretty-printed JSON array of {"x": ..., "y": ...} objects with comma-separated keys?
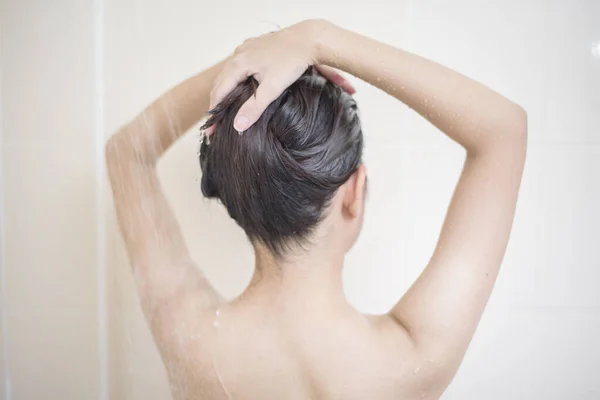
[{"x": 538, "y": 337}]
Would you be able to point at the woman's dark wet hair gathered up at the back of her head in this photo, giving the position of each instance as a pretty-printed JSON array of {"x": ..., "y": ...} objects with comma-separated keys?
[{"x": 277, "y": 178}]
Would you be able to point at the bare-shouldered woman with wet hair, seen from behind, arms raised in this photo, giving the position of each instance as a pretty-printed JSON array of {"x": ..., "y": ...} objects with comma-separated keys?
[{"x": 293, "y": 180}]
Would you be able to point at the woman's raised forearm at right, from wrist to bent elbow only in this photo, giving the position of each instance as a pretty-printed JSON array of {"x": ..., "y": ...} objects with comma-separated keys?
[{"x": 468, "y": 112}]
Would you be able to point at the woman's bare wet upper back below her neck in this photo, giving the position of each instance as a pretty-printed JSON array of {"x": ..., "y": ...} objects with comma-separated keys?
[{"x": 277, "y": 351}]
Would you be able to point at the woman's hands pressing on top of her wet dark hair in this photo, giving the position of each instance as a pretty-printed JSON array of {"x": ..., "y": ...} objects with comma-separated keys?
[{"x": 276, "y": 60}]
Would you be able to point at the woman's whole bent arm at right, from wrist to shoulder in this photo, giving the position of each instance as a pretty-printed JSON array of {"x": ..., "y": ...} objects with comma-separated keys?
[{"x": 443, "y": 307}]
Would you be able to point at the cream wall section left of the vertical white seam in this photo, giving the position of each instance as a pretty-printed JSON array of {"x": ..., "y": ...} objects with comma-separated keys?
[{"x": 49, "y": 185}]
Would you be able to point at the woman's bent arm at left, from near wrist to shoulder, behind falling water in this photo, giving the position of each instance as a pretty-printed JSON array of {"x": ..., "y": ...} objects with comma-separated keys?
[{"x": 168, "y": 282}]
